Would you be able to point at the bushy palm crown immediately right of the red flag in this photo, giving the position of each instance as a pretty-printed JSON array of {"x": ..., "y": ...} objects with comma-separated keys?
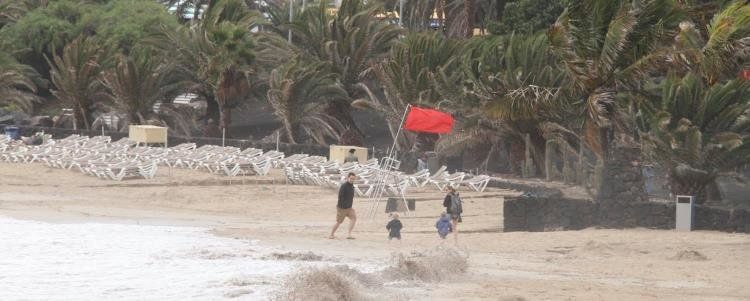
[{"x": 517, "y": 78}]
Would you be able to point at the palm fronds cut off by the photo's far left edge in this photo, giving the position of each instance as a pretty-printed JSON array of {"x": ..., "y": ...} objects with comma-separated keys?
[{"x": 17, "y": 84}]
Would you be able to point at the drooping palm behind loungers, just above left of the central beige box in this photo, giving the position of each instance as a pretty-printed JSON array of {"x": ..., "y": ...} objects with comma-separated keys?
[{"x": 295, "y": 91}]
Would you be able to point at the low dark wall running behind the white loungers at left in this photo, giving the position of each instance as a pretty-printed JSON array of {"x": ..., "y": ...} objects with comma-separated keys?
[{"x": 286, "y": 148}]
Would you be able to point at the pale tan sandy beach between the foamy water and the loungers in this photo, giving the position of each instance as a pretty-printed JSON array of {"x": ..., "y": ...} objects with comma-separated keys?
[{"x": 592, "y": 264}]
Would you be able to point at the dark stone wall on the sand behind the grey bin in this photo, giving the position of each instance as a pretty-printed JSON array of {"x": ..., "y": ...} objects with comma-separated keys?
[{"x": 534, "y": 213}]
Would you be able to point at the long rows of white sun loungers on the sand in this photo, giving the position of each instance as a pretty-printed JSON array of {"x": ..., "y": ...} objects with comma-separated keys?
[{"x": 101, "y": 157}]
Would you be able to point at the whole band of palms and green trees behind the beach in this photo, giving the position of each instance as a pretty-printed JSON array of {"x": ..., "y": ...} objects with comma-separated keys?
[{"x": 572, "y": 80}]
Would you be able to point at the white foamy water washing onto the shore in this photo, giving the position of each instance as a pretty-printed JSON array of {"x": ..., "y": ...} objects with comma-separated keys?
[{"x": 93, "y": 261}]
